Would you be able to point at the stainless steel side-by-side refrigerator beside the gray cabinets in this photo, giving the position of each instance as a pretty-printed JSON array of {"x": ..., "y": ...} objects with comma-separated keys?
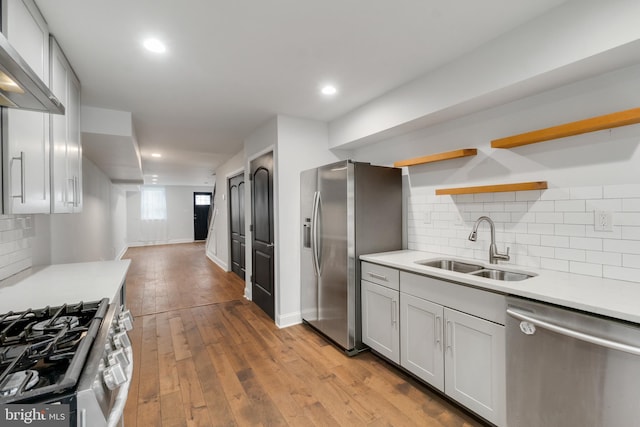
[{"x": 347, "y": 209}]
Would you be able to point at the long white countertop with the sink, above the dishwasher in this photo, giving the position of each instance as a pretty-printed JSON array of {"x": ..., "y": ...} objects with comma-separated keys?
[{"x": 608, "y": 297}]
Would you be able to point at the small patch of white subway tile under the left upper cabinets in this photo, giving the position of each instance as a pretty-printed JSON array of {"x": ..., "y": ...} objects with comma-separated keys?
[{"x": 16, "y": 236}]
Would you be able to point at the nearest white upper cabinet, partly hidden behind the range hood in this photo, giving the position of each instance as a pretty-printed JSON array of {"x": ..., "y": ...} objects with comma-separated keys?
[{"x": 26, "y": 133}]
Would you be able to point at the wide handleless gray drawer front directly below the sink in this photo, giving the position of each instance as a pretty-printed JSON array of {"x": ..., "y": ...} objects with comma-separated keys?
[{"x": 477, "y": 302}]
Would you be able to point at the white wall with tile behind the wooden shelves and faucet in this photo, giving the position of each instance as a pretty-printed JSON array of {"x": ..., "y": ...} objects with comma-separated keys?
[{"x": 552, "y": 229}]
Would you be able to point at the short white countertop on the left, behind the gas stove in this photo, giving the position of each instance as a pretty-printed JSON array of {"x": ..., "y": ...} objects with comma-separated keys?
[{"x": 62, "y": 284}]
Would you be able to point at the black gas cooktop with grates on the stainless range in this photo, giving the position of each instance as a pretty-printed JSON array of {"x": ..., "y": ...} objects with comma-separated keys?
[{"x": 43, "y": 351}]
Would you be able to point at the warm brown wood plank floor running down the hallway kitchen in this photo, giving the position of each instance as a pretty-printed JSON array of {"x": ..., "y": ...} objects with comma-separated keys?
[{"x": 204, "y": 356}]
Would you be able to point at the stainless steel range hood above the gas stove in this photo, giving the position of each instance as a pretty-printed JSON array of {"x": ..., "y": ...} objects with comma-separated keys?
[{"x": 20, "y": 86}]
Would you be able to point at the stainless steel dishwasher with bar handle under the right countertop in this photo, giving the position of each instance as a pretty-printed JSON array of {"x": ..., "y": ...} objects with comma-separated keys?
[{"x": 568, "y": 368}]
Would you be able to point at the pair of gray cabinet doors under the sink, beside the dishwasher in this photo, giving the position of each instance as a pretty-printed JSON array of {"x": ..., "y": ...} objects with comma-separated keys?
[{"x": 459, "y": 354}]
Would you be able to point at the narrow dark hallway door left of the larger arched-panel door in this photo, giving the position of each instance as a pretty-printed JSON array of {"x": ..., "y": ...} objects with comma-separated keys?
[{"x": 236, "y": 224}]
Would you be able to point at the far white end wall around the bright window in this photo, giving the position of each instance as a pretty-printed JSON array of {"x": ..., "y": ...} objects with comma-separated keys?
[{"x": 178, "y": 227}]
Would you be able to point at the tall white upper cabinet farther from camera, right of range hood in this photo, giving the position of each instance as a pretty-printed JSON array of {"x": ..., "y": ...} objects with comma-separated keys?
[{"x": 66, "y": 148}]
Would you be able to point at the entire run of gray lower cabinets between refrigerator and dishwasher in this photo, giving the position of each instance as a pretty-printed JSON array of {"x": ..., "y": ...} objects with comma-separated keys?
[{"x": 449, "y": 335}]
